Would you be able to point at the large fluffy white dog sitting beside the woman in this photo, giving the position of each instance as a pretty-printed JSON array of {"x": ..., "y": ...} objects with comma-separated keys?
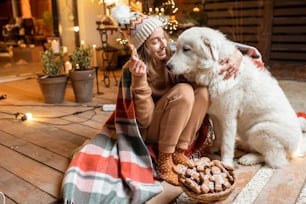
[{"x": 251, "y": 106}]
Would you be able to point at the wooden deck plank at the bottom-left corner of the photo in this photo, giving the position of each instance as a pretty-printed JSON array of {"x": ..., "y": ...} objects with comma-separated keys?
[{"x": 17, "y": 190}]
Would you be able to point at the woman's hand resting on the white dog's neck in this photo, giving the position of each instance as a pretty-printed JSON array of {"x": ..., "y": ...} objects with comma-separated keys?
[{"x": 231, "y": 64}]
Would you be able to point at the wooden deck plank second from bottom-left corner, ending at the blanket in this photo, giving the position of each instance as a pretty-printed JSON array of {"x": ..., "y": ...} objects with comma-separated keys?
[{"x": 39, "y": 175}]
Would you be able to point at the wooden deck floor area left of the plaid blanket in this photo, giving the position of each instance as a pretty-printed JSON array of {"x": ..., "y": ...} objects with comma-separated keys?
[{"x": 35, "y": 154}]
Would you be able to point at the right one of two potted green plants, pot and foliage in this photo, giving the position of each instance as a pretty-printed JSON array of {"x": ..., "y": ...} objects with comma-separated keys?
[{"x": 82, "y": 75}]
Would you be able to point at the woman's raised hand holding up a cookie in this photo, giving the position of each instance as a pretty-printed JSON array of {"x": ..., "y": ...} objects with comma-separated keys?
[{"x": 137, "y": 67}]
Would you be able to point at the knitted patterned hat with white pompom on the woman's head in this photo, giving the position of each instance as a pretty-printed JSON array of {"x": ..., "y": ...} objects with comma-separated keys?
[{"x": 137, "y": 25}]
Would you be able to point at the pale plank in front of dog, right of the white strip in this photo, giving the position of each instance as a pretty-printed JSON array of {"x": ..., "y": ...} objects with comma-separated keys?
[{"x": 285, "y": 184}]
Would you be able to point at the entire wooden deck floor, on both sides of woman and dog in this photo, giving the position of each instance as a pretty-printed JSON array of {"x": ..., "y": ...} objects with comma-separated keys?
[{"x": 35, "y": 154}]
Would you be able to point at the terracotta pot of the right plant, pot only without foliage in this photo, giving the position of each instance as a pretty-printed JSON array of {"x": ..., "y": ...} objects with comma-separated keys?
[{"x": 82, "y": 84}]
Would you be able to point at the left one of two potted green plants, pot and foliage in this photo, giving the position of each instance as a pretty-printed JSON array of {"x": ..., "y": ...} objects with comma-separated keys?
[{"x": 52, "y": 82}]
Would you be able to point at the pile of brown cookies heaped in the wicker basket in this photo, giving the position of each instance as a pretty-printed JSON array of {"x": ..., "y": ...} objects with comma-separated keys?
[{"x": 206, "y": 176}]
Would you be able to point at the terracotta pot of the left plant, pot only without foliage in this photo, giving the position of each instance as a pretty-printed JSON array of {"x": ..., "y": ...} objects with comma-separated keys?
[{"x": 53, "y": 88}]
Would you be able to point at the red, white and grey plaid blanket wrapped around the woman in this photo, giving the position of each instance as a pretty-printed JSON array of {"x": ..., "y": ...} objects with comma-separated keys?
[{"x": 116, "y": 165}]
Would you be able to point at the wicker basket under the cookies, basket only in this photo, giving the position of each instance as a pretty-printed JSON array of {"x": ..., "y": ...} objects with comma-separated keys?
[{"x": 210, "y": 197}]
